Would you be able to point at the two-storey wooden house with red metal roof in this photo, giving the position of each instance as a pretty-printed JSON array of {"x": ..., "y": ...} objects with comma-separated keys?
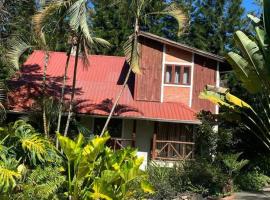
[{"x": 157, "y": 112}]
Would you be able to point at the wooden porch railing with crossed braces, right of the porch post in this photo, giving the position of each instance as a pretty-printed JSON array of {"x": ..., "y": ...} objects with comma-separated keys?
[{"x": 172, "y": 150}]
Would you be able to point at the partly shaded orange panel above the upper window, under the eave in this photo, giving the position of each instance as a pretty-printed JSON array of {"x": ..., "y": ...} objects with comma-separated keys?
[{"x": 177, "y": 55}]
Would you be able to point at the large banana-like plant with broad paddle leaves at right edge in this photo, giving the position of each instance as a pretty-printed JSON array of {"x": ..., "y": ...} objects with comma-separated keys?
[{"x": 252, "y": 69}]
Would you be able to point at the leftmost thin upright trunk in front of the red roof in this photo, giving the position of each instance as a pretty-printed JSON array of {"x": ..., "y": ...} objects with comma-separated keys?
[{"x": 45, "y": 127}]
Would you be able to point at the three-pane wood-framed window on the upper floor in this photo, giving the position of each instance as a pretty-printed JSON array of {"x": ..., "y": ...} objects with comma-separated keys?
[{"x": 176, "y": 74}]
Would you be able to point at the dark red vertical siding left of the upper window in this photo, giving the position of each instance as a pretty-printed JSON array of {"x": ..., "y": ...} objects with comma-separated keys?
[{"x": 148, "y": 83}]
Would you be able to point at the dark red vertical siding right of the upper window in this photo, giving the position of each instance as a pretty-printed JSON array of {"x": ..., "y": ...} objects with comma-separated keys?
[{"x": 204, "y": 73}]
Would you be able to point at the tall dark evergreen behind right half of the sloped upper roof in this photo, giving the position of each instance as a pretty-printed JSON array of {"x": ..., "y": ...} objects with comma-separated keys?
[{"x": 213, "y": 23}]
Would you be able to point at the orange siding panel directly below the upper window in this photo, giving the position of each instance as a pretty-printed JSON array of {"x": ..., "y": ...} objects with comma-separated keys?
[{"x": 176, "y": 94}]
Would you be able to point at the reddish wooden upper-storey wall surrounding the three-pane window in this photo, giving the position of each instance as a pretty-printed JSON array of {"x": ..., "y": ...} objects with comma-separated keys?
[{"x": 148, "y": 85}]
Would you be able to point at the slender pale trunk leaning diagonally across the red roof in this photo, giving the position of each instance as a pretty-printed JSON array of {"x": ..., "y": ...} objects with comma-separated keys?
[{"x": 136, "y": 30}]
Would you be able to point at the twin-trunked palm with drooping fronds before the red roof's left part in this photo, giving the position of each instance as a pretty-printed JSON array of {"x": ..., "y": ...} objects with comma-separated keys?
[{"x": 75, "y": 12}]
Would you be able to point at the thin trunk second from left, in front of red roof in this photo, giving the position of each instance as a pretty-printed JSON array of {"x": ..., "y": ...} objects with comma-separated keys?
[{"x": 62, "y": 95}]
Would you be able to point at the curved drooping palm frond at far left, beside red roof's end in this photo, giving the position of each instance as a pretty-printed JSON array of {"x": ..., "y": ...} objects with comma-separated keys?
[{"x": 17, "y": 47}]
